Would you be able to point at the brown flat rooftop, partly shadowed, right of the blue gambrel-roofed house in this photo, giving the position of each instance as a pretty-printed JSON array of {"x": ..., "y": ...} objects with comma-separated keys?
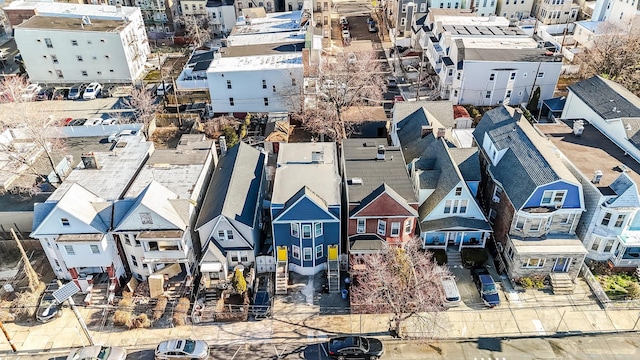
[{"x": 591, "y": 152}]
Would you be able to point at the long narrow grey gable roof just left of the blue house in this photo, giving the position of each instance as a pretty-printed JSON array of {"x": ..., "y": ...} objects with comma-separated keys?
[{"x": 235, "y": 186}]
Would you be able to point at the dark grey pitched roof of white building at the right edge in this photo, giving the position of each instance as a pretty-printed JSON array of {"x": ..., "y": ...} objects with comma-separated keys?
[{"x": 607, "y": 98}]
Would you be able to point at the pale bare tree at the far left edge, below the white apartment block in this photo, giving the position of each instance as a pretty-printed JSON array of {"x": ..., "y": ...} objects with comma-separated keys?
[{"x": 30, "y": 140}]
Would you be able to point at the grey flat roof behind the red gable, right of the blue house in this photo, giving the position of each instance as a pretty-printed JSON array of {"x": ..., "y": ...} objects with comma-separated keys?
[{"x": 360, "y": 161}]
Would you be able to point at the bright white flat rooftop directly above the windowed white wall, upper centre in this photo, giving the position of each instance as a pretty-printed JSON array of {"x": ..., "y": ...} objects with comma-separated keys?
[{"x": 261, "y": 62}]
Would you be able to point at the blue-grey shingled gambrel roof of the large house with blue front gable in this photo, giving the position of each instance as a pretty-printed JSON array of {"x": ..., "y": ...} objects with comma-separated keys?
[{"x": 528, "y": 161}]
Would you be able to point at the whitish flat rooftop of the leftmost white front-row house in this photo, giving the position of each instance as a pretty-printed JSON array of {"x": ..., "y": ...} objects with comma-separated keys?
[{"x": 117, "y": 168}]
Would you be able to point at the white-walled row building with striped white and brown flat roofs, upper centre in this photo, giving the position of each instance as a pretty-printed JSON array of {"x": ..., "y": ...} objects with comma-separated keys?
[{"x": 261, "y": 67}]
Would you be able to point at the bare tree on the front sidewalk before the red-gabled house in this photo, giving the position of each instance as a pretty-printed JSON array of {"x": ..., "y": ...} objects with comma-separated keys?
[{"x": 402, "y": 281}]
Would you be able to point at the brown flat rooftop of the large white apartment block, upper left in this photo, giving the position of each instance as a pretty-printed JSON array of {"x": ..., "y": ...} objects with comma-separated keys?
[{"x": 72, "y": 24}]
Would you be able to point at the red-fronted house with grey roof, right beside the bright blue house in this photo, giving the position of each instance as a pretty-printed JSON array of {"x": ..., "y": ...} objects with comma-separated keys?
[{"x": 380, "y": 202}]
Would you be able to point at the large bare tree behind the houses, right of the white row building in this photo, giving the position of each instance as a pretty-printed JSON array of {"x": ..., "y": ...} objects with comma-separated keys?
[{"x": 344, "y": 81}]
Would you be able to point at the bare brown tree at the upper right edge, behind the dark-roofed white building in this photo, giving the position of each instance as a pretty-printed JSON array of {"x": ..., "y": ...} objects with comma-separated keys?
[{"x": 614, "y": 55}]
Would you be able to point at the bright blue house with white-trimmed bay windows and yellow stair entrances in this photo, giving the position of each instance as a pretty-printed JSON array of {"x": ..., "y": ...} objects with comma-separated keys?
[{"x": 305, "y": 210}]
